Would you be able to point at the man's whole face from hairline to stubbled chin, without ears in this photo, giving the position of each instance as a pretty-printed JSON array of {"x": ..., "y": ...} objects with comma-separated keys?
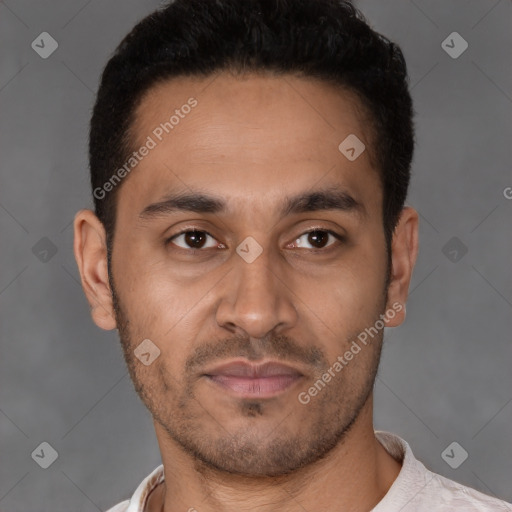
[{"x": 250, "y": 251}]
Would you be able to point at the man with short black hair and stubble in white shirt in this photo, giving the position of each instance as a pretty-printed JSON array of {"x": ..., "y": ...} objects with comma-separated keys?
[{"x": 250, "y": 161}]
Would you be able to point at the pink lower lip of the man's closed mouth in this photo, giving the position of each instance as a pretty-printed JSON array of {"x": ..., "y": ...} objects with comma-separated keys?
[{"x": 261, "y": 387}]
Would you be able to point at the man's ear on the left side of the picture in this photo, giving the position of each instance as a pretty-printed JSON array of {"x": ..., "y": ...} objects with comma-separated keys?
[{"x": 90, "y": 249}]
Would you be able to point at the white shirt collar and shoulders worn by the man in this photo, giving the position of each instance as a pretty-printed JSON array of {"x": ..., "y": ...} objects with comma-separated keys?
[{"x": 416, "y": 489}]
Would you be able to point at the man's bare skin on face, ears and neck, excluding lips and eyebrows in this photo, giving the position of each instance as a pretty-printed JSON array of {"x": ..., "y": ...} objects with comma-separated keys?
[{"x": 253, "y": 141}]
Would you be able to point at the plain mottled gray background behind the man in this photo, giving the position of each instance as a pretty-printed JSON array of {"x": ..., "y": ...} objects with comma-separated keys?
[{"x": 445, "y": 373}]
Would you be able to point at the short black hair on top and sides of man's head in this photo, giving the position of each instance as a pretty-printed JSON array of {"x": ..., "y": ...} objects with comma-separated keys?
[{"x": 328, "y": 40}]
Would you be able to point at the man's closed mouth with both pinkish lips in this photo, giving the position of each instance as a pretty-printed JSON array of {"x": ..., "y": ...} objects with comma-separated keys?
[{"x": 246, "y": 380}]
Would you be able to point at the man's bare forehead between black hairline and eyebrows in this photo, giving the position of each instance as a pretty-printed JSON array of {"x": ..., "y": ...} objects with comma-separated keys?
[{"x": 251, "y": 136}]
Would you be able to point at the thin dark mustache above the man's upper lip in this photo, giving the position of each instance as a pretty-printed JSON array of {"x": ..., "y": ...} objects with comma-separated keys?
[{"x": 278, "y": 347}]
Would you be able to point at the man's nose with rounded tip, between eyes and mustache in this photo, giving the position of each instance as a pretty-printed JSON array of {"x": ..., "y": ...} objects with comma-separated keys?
[{"x": 257, "y": 299}]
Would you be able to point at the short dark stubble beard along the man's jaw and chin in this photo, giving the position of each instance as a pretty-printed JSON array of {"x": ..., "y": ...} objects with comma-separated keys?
[{"x": 247, "y": 451}]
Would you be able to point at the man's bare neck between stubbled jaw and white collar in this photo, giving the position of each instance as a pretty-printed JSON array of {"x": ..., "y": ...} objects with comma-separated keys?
[{"x": 353, "y": 477}]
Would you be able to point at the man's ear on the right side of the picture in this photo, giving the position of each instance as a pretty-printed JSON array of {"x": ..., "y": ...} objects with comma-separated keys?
[{"x": 404, "y": 250}]
